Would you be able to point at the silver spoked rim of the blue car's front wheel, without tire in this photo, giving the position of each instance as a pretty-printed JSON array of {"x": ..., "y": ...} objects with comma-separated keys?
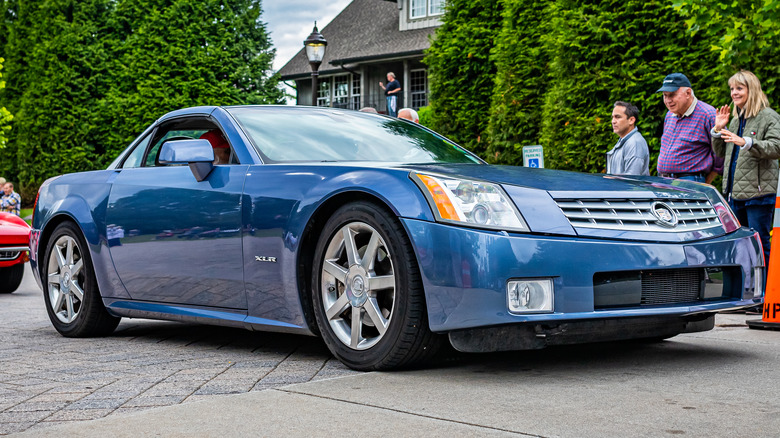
[{"x": 358, "y": 285}]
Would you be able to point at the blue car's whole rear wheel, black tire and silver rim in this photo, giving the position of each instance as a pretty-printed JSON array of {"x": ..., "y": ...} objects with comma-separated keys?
[{"x": 70, "y": 290}]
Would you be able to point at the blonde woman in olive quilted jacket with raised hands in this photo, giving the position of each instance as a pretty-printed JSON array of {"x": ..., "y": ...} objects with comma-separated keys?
[{"x": 751, "y": 147}]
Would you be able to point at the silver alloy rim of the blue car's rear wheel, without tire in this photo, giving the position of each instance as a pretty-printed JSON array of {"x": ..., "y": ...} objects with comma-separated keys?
[{"x": 65, "y": 279}]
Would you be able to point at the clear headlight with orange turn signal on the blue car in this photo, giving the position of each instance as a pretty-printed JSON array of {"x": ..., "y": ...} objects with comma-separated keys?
[{"x": 470, "y": 202}]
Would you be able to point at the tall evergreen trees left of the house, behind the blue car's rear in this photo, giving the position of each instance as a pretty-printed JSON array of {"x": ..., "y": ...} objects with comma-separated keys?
[{"x": 86, "y": 77}]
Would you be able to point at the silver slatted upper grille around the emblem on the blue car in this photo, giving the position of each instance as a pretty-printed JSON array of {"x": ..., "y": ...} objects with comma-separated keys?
[{"x": 635, "y": 214}]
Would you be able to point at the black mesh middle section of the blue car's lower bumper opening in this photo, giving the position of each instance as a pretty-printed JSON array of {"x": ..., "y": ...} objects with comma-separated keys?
[{"x": 671, "y": 286}]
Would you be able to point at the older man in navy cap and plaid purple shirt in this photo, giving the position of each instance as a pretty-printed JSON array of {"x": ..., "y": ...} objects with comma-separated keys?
[{"x": 686, "y": 152}]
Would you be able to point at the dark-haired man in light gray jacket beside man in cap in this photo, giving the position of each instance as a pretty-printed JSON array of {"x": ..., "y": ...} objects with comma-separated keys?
[{"x": 630, "y": 155}]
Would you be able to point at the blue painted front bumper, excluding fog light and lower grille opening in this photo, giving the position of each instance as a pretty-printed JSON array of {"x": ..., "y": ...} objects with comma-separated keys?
[{"x": 465, "y": 272}]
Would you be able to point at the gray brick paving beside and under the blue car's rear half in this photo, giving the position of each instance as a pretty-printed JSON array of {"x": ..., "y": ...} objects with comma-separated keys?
[{"x": 47, "y": 379}]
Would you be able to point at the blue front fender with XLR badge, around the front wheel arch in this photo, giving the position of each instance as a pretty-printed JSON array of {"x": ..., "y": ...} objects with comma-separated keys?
[{"x": 276, "y": 216}]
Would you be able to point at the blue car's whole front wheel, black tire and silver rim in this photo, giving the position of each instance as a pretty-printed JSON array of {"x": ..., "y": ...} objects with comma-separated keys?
[{"x": 385, "y": 283}]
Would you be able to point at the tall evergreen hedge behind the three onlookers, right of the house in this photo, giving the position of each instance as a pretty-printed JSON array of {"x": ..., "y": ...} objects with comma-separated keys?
[{"x": 556, "y": 68}]
